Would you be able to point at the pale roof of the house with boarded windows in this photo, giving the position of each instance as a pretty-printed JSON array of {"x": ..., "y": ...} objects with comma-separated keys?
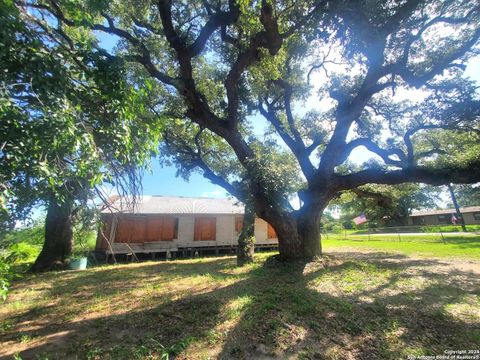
[{"x": 174, "y": 205}]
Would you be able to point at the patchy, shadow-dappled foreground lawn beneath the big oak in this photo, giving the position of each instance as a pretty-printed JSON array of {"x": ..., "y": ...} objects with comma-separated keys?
[{"x": 350, "y": 305}]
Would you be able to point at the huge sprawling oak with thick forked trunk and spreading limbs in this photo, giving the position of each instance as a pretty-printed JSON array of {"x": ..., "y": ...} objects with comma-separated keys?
[{"x": 327, "y": 77}]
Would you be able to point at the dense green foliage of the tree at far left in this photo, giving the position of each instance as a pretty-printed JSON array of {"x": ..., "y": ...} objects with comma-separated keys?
[{"x": 66, "y": 122}]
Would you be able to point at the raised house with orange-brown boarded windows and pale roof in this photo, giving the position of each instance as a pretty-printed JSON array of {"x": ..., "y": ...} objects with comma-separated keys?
[{"x": 176, "y": 225}]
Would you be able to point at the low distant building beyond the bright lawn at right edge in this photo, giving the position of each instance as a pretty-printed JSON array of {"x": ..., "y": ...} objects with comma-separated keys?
[{"x": 471, "y": 215}]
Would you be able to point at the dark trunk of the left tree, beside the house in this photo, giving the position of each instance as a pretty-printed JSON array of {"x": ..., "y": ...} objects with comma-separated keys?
[{"x": 58, "y": 237}]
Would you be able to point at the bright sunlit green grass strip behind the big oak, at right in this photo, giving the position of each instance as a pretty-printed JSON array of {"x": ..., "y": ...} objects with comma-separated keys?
[{"x": 431, "y": 245}]
